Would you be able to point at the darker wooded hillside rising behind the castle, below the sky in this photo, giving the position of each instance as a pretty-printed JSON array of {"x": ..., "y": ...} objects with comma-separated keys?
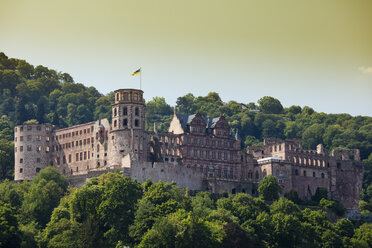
[{"x": 37, "y": 93}]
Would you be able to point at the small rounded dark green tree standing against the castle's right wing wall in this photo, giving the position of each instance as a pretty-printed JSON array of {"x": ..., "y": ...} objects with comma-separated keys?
[{"x": 269, "y": 188}]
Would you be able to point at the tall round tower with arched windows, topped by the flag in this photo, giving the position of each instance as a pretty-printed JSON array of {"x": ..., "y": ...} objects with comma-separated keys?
[{"x": 128, "y": 126}]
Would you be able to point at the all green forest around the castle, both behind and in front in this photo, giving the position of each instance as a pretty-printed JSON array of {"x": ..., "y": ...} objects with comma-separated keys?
[{"x": 45, "y": 212}]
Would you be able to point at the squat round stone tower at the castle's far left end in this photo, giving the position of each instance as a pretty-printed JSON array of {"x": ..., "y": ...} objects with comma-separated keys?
[{"x": 31, "y": 149}]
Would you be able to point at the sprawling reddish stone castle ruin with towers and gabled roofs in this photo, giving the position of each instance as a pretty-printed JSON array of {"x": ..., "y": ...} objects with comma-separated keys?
[{"x": 197, "y": 152}]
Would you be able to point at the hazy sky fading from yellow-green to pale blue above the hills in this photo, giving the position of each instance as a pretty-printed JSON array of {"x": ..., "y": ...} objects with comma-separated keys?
[{"x": 310, "y": 53}]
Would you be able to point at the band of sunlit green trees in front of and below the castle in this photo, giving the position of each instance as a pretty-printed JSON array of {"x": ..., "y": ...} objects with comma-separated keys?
[{"x": 113, "y": 211}]
